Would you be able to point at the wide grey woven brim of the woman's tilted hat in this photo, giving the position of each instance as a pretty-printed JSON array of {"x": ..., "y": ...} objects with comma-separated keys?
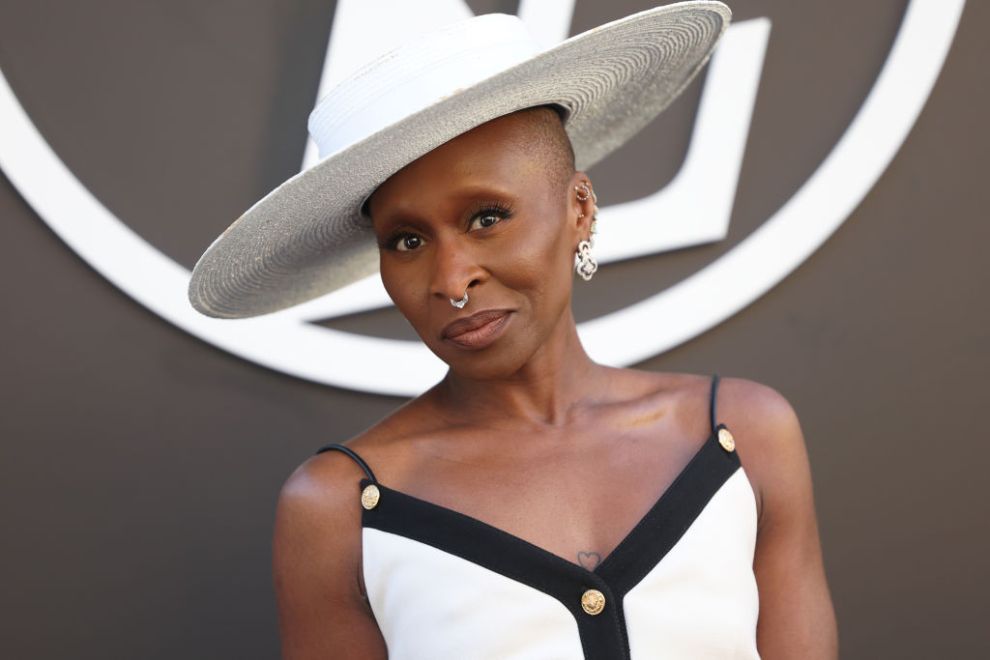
[{"x": 307, "y": 237}]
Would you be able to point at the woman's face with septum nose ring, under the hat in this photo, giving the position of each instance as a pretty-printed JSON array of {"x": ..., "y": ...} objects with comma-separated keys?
[{"x": 489, "y": 213}]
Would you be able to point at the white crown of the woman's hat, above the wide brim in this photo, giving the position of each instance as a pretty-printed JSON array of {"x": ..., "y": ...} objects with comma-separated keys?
[{"x": 417, "y": 74}]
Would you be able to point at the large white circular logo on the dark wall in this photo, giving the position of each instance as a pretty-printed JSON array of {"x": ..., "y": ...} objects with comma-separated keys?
[{"x": 703, "y": 190}]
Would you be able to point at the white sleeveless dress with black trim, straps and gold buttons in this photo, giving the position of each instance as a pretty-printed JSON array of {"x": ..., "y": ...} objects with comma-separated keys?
[{"x": 446, "y": 586}]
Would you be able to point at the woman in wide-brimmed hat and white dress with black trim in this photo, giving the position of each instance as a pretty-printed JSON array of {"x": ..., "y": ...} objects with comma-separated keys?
[{"x": 533, "y": 503}]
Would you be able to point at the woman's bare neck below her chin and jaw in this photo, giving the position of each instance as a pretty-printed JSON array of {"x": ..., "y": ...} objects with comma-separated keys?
[{"x": 544, "y": 391}]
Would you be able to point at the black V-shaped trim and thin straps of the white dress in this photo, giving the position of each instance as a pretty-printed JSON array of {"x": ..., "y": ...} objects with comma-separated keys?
[{"x": 603, "y": 636}]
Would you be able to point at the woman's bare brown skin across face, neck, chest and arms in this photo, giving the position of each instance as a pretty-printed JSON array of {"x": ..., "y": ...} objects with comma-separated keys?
[{"x": 529, "y": 434}]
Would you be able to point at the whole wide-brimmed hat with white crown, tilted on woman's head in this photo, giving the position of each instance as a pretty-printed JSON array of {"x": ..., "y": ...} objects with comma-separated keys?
[{"x": 308, "y": 236}]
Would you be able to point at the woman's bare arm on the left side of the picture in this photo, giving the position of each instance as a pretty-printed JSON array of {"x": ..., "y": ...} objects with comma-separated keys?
[{"x": 316, "y": 556}]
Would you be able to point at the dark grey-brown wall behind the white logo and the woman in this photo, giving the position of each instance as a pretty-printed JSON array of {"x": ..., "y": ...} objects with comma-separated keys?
[{"x": 140, "y": 466}]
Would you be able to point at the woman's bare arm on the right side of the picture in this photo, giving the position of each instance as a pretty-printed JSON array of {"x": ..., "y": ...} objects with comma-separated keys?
[{"x": 797, "y": 619}]
